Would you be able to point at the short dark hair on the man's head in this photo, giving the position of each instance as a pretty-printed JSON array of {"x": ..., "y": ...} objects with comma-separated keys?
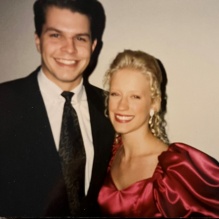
[{"x": 91, "y": 8}]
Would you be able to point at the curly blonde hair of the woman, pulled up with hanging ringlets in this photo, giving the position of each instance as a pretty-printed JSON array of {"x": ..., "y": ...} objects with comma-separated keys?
[{"x": 149, "y": 66}]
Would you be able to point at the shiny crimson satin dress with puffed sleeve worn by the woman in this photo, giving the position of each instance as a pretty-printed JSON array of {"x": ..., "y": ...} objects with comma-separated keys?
[{"x": 185, "y": 183}]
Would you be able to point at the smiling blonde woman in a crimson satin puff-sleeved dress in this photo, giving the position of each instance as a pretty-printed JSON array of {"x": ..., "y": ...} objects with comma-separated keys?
[{"x": 147, "y": 176}]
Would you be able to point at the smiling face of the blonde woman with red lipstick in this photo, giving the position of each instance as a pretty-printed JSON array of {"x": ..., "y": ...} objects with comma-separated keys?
[{"x": 129, "y": 101}]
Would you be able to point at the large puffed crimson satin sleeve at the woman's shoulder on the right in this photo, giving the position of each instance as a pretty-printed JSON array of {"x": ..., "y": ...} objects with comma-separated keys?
[{"x": 188, "y": 183}]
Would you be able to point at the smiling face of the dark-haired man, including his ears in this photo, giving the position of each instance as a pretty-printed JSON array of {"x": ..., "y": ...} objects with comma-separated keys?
[{"x": 65, "y": 46}]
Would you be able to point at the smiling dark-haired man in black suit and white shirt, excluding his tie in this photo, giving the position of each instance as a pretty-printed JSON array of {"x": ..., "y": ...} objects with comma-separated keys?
[{"x": 31, "y": 108}]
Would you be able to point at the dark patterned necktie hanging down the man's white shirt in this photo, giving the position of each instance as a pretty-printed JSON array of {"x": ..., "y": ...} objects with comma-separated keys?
[{"x": 72, "y": 154}]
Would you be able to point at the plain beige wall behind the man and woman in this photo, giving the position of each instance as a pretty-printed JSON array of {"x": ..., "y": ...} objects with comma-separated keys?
[{"x": 183, "y": 34}]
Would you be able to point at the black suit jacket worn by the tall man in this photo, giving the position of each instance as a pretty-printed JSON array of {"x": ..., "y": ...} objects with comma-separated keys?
[{"x": 31, "y": 181}]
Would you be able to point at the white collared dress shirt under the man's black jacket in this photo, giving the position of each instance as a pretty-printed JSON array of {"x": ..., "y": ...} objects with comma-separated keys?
[{"x": 54, "y": 104}]
